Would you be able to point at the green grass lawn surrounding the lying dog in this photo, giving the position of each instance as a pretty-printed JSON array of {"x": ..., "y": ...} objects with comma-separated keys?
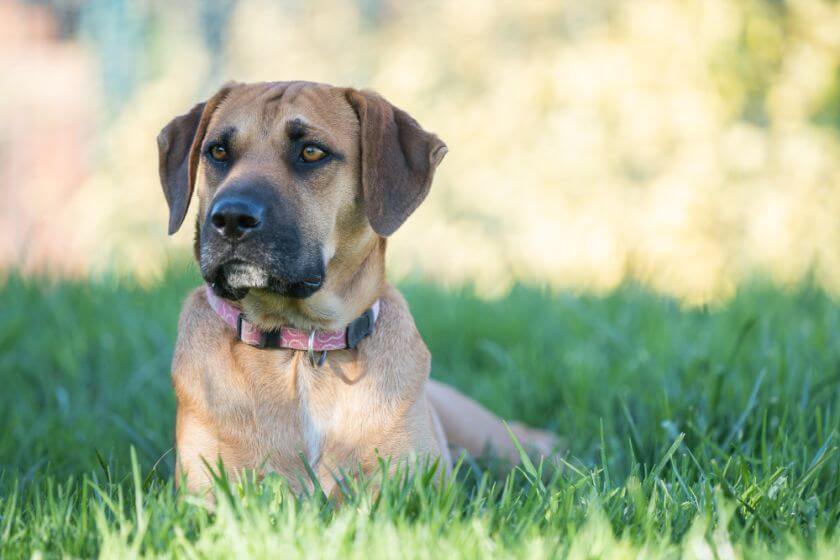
[{"x": 706, "y": 433}]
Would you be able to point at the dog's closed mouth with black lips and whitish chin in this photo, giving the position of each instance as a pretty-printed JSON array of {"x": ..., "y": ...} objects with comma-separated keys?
[{"x": 235, "y": 278}]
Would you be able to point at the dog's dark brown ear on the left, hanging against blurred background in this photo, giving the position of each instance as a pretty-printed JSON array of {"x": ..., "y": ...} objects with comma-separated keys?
[{"x": 179, "y": 144}]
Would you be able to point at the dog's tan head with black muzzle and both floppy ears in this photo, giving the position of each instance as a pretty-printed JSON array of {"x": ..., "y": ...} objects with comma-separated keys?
[{"x": 294, "y": 180}]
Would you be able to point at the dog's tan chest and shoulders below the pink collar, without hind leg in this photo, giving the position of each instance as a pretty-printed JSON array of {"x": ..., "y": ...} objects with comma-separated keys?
[{"x": 257, "y": 408}]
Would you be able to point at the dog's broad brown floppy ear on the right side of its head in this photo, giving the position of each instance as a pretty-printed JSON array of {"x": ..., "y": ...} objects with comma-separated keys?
[{"x": 398, "y": 160}]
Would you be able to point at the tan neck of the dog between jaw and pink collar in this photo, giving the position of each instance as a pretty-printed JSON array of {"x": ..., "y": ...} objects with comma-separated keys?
[{"x": 353, "y": 284}]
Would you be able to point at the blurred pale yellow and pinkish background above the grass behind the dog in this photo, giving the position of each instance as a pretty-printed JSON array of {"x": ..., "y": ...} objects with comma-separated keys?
[{"x": 686, "y": 144}]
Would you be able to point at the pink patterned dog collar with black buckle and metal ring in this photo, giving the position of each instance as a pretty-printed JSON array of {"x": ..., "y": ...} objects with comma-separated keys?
[{"x": 295, "y": 339}]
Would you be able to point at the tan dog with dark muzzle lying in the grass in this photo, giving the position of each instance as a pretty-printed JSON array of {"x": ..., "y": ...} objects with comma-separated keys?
[{"x": 298, "y": 185}]
